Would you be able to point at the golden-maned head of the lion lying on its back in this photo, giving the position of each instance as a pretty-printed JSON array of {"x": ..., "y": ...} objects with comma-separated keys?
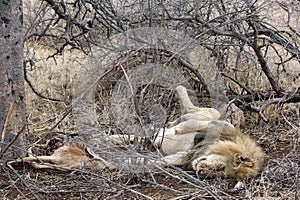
[{"x": 229, "y": 155}]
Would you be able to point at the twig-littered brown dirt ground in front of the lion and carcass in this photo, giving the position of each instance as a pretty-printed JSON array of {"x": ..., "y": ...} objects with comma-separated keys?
[{"x": 279, "y": 178}]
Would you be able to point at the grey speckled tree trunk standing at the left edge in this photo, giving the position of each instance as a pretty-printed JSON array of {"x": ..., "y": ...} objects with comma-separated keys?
[{"x": 12, "y": 90}]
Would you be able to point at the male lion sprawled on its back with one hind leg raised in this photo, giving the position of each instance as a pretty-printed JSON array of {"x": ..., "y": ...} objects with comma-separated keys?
[{"x": 198, "y": 140}]
